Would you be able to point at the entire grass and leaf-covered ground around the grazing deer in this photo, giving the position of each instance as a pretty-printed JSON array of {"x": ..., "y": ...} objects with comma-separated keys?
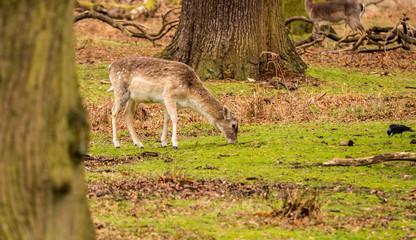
[{"x": 271, "y": 185}]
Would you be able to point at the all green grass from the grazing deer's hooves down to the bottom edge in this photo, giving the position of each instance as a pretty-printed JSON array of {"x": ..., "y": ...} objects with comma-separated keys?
[{"x": 286, "y": 153}]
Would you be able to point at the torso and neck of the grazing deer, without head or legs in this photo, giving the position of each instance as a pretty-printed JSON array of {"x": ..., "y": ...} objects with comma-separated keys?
[{"x": 151, "y": 80}]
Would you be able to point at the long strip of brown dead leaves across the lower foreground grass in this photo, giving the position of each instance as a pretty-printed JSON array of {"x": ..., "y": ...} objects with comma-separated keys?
[{"x": 181, "y": 187}]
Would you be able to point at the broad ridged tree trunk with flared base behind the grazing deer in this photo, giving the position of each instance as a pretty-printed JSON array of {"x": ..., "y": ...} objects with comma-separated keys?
[{"x": 224, "y": 39}]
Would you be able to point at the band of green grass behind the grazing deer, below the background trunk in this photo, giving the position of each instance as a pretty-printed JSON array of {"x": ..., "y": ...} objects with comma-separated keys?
[{"x": 334, "y": 81}]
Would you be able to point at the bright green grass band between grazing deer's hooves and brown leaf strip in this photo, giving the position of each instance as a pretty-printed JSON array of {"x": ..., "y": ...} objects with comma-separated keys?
[{"x": 272, "y": 152}]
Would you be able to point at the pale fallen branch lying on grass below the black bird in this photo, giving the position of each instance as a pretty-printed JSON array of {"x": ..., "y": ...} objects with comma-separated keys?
[{"x": 385, "y": 157}]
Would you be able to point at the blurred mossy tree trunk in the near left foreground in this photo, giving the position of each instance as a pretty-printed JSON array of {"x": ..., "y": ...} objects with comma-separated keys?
[{"x": 43, "y": 128}]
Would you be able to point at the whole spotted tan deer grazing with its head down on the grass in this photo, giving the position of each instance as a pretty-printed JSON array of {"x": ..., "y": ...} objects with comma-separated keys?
[{"x": 175, "y": 85}]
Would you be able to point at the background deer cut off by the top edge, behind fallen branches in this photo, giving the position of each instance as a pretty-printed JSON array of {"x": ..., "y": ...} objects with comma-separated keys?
[{"x": 339, "y": 12}]
